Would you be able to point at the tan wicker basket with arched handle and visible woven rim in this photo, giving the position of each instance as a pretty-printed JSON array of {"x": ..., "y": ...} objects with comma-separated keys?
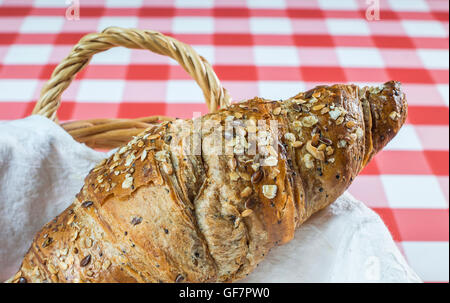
[{"x": 111, "y": 133}]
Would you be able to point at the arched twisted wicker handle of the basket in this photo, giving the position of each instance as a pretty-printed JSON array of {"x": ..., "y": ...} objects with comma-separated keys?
[{"x": 199, "y": 69}]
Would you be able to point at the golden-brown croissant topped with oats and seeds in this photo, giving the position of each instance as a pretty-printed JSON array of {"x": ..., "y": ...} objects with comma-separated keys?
[{"x": 178, "y": 205}]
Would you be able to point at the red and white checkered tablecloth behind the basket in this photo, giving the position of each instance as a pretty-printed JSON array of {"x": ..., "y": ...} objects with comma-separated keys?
[{"x": 267, "y": 48}]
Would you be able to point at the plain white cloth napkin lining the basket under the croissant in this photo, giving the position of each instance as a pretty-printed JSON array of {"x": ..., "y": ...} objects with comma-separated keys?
[{"x": 42, "y": 168}]
